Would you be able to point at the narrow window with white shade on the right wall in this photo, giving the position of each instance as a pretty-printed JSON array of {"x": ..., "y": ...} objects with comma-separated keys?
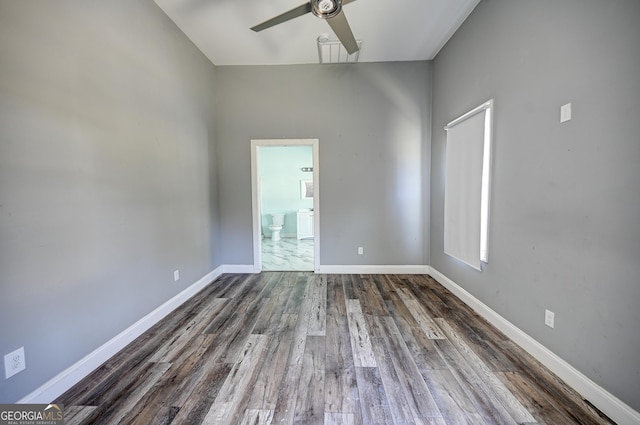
[{"x": 466, "y": 199}]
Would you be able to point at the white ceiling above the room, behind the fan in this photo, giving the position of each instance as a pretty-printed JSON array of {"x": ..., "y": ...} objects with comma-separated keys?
[{"x": 399, "y": 30}]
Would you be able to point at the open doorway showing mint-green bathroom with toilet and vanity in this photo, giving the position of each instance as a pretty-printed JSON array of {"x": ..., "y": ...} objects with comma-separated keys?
[{"x": 285, "y": 210}]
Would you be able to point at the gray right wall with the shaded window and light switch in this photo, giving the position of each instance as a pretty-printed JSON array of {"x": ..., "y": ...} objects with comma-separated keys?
[{"x": 565, "y": 229}]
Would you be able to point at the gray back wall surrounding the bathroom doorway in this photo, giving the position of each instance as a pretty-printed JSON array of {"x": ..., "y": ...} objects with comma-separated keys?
[{"x": 372, "y": 121}]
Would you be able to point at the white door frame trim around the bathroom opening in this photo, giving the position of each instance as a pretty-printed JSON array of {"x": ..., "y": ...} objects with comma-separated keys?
[{"x": 256, "y": 194}]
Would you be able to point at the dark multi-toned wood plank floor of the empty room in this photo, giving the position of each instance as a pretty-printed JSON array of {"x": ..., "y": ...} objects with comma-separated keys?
[{"x": 285, "y": 348}]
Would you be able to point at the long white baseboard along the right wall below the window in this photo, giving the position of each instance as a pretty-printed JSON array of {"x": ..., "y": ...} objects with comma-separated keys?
[{"x": 610, "y": 405}]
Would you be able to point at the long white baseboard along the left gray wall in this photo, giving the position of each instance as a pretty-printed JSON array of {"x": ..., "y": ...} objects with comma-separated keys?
[{"x": 75, "y": 373}]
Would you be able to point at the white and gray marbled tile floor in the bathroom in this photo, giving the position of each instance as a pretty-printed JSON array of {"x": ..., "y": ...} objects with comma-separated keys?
[{"x": 287, "y": 254}]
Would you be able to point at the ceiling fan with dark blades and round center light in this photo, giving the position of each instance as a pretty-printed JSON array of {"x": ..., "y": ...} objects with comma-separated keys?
[{"x": 331, "y": 10}]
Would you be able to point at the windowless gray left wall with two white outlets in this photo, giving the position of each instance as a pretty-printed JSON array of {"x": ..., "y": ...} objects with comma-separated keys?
[{"x": 106, "y": 116}]
